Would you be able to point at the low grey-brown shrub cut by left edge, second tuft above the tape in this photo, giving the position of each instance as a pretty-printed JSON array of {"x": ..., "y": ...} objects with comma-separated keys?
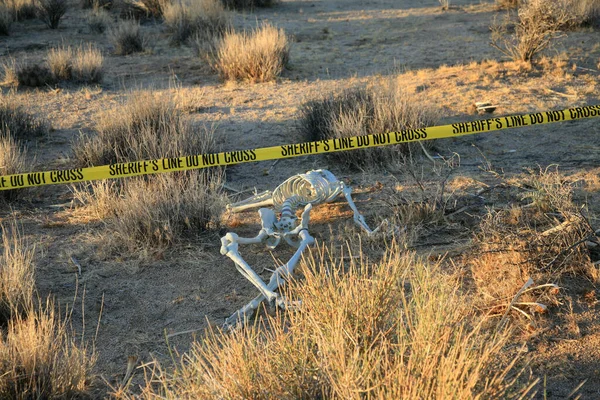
[{"x": 18, "y": 123}]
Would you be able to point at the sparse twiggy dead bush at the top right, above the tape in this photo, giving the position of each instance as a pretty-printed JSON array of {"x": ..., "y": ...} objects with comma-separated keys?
[{"x": 538, "y": 23}]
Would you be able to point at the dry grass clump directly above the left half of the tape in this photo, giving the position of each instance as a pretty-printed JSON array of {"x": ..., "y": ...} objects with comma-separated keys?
[{"x": 145, "y": 127}]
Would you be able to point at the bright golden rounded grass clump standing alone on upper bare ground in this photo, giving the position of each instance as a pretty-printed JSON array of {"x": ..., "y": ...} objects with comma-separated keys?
[{"x": 257, "y": 56}]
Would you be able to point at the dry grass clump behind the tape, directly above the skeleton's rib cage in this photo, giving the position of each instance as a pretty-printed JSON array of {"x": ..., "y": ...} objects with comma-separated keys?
[{"x": 361, "y": 111}]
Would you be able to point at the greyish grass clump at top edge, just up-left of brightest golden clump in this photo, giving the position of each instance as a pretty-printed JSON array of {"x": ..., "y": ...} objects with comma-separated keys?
[{"x": 204, "y": 19}]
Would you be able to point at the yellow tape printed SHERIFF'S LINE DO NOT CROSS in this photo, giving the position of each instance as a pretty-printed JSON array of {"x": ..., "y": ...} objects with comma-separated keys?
[{"x": 190, "y": 162}]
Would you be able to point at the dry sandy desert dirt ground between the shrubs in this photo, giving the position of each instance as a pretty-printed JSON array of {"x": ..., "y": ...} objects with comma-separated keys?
[{"x": 443, "y": 57}]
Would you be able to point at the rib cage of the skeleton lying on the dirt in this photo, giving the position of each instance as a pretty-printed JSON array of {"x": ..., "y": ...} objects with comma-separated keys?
[{"x": 314, "y": 187}]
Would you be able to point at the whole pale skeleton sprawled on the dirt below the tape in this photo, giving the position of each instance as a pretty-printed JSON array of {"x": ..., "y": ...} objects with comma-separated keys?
[{"x": 303, "y": 190}]
